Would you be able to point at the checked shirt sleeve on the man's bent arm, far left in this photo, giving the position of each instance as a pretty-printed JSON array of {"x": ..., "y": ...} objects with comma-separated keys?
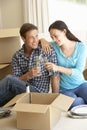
[{"x": 16, "y": 70}]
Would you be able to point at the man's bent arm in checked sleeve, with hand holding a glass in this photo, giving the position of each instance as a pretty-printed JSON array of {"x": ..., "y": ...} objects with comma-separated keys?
[{"x": 22, "y": 72}]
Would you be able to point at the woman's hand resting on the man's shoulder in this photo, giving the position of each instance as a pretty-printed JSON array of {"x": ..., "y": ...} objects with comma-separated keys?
[{"x": 46, "y": 47}]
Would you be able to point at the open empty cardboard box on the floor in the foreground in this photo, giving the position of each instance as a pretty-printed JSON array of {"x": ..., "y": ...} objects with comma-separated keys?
[{"x": 39, "y": 111}]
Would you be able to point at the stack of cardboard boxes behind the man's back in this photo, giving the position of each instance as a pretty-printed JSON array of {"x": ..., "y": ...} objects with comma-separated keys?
[{"x": 9, "y": 44}]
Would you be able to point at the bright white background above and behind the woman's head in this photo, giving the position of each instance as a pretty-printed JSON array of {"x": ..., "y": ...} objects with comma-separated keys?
[{"x": 73, "y": 14}]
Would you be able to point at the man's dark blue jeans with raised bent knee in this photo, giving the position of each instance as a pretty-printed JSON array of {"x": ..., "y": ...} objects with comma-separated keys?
[{"x": 10, "y": 86}]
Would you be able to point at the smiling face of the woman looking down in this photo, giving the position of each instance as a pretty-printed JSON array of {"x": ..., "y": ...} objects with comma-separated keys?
[{"x": 58, "y": 36}]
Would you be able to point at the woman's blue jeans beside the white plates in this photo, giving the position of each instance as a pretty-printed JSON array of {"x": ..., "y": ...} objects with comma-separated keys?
[{"x": 79, "y": 93}]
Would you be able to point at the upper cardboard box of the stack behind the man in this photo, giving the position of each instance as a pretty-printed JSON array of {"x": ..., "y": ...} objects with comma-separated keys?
[{"x": 9, "y": 43}]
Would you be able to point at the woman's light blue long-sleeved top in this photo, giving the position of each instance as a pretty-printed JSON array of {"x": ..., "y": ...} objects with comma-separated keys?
[{"x": 76, "y": 62}]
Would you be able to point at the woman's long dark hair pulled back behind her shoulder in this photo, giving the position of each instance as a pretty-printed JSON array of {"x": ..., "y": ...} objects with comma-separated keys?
[{"x": 60, "y": 25}]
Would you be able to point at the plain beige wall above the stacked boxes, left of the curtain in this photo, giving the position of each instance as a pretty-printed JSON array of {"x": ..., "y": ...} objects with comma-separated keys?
[{"x": 11, "y": 13}]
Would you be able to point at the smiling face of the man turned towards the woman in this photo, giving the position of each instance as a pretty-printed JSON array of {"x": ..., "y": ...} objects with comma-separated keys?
[{"x": 31, "y": 39}]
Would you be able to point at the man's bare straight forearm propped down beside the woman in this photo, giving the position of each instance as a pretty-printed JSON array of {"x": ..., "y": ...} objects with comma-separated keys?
[{"x": 55, "y": 83}]
